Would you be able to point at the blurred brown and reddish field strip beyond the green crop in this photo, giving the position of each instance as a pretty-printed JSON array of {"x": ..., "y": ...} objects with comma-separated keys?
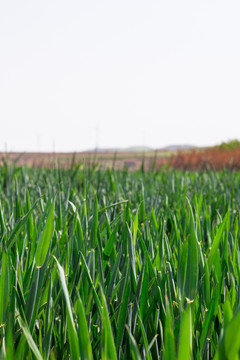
[{"x": 201, "y": 159}]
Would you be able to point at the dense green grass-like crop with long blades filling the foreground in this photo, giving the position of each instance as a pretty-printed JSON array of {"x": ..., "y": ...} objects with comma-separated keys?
[{"x": 100, "y": 264}]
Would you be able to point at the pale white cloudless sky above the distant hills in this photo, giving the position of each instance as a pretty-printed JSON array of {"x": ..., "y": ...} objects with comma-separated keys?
[{"x": 141, "y": 72}]
